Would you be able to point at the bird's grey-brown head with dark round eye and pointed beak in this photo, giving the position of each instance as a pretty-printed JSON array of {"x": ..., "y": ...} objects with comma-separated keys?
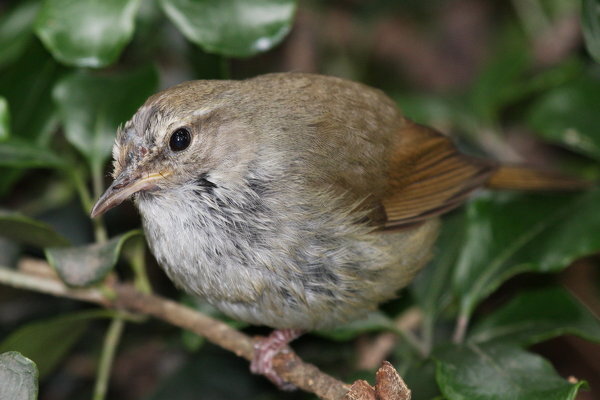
[{"x": 178, "y": 136}]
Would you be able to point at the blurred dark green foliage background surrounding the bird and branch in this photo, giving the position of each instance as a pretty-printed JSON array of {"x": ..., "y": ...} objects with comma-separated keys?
[{"x": 508, "y": 309}]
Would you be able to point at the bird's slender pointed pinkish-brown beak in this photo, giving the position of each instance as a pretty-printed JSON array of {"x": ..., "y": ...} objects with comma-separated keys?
[{"x": 123, "y": 187}]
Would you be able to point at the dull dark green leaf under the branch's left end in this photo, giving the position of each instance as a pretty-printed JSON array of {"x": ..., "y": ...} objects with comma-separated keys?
[{"x": 48, "y": 341}]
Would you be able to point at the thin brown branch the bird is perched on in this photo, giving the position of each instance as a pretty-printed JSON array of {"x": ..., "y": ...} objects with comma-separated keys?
[{"x": 287, "y": 364}]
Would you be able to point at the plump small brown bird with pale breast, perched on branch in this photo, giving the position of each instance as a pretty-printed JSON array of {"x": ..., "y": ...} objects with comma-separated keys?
[{"x": 292, "y": 200}]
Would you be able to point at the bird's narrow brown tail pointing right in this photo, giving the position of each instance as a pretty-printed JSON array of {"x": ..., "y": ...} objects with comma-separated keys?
[{"x": 524, "y": 178}]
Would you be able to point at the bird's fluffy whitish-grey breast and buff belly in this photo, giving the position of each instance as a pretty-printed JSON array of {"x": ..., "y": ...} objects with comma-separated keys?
[{"x": 312, "y": 269}]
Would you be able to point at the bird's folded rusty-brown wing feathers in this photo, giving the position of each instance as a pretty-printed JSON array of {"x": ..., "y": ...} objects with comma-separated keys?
[{"x": 429, "y": 176}]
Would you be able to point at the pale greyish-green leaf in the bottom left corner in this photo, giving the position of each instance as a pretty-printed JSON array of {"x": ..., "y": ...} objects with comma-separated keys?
[{"x": 18, "y": 377}]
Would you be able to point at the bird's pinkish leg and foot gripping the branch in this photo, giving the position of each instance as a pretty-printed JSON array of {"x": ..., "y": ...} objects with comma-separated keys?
[{"x": 264, "y": 351}]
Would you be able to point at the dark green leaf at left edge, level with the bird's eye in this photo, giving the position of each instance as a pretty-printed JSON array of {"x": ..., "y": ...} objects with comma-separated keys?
[{"x": 20, "y": 154}]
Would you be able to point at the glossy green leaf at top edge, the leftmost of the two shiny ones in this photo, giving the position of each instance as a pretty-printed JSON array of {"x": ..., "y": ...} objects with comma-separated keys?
[{"x": 86, "y": 33}]
